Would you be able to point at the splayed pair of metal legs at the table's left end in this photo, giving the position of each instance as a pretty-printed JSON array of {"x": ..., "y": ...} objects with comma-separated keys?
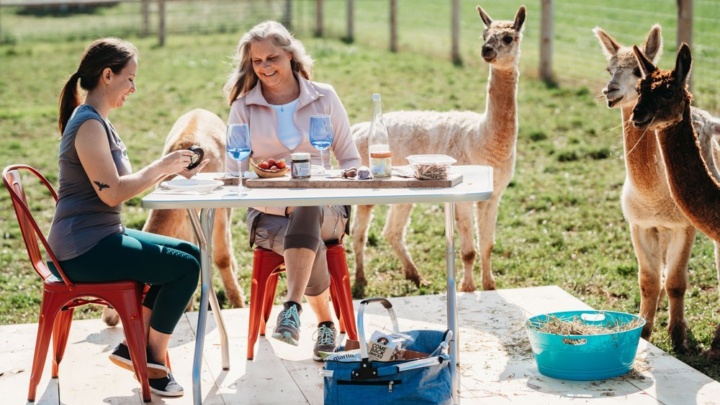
[{"x": 204, "y": 226}]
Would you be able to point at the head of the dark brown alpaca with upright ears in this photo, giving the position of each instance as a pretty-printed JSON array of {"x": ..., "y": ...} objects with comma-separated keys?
[{"x": 663, "y": 94}]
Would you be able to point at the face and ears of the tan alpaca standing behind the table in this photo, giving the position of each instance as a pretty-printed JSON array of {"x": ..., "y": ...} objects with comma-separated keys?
[{"x": 501, "y": 39}]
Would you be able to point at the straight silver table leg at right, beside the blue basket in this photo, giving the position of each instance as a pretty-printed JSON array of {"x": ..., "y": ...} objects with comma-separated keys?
[{"x": 451, "y": 296}]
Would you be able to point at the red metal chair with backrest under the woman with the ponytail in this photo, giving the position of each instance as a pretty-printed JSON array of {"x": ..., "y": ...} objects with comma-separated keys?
[{"x": 60, "y": 297}]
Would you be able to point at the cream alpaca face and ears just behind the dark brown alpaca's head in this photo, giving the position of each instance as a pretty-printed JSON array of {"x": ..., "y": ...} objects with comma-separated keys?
[{"x": 623, "y": 67}]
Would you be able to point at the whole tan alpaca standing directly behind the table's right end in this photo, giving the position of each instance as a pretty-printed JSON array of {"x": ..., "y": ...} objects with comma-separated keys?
[{"x": 469, "y": 137}]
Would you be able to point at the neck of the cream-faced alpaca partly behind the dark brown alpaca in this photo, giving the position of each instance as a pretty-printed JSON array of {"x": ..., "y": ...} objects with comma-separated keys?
[{"x": 642, "y": 155}]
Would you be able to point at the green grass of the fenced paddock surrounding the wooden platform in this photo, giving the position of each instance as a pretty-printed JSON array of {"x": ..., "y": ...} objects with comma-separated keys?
[{"x": 560, "y": 221}]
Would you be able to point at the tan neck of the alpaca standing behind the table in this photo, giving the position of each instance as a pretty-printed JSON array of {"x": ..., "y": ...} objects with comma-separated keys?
[{"x": 501, "y": 109}]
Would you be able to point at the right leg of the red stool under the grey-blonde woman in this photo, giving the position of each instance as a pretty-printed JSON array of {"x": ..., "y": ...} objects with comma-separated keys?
[{"x": 340, "y": 290}]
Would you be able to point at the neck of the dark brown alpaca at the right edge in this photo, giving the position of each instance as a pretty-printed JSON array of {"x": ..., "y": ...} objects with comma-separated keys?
[{"x": 692, "y": 186}]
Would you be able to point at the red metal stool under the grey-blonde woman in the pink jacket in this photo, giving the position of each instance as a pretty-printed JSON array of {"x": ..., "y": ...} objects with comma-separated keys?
[{"x": 267, "y": 265}]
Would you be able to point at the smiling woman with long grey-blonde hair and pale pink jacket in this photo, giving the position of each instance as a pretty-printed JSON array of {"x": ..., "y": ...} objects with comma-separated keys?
[{"x": 270, "y": 90}]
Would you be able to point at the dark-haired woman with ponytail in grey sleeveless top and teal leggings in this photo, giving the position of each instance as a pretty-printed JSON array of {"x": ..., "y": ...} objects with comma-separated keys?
[{"x": 95, "y": 178}]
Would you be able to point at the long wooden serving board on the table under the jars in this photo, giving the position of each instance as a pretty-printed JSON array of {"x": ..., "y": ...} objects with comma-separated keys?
[{"x": 338, "y": 182}]
